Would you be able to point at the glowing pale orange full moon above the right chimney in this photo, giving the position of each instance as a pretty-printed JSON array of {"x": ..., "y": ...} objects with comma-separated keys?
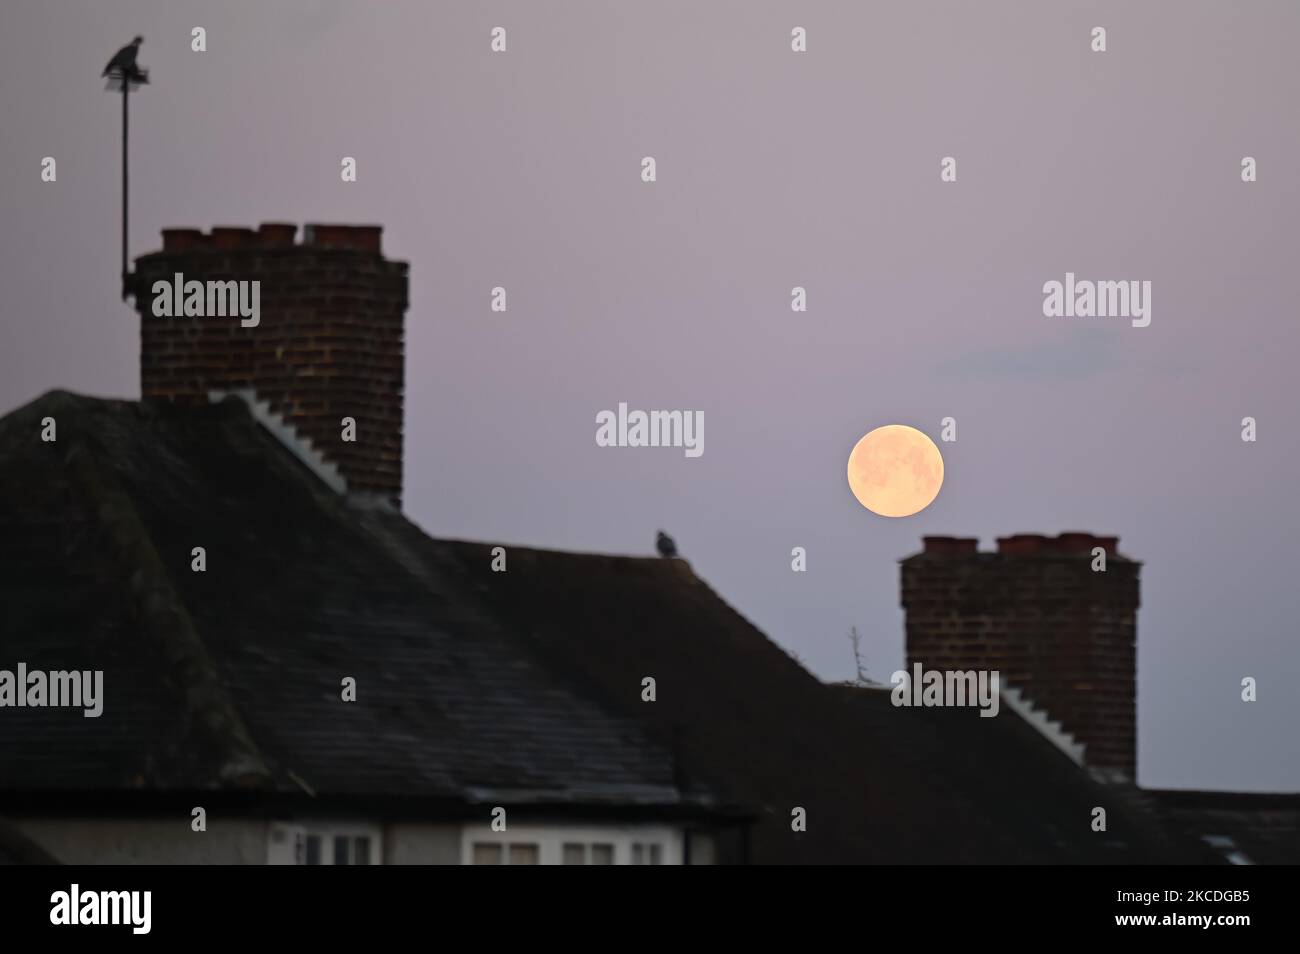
[{"x": 896, "y": 471}]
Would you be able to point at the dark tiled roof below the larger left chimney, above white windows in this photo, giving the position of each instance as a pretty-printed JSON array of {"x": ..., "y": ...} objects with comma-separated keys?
[{"x": 232, "y": 678}]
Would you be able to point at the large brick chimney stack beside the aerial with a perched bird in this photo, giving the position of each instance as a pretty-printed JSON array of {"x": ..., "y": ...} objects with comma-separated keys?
[{"x": 328, "y": 344}]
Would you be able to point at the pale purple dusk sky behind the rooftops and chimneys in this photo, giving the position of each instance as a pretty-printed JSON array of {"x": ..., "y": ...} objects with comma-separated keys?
[{"x": 775, "y": 170}]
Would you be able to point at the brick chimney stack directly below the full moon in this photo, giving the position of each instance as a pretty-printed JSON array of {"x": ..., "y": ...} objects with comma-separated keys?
[{"x": 1063, "y": 634}]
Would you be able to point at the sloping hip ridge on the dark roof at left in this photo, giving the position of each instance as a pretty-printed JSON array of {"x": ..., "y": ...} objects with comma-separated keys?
[{"x": 168, "y": 623}]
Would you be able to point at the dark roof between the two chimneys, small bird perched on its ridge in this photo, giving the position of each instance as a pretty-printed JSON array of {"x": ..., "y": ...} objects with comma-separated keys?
[{"x": 879, "y": 783}]
